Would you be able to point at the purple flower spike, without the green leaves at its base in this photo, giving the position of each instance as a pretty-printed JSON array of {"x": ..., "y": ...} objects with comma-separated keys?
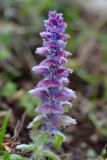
[{"x": 52, "y": 89}]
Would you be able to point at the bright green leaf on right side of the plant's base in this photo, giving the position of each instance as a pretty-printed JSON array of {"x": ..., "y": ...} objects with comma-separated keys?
[{"x": 59, "y": 139}]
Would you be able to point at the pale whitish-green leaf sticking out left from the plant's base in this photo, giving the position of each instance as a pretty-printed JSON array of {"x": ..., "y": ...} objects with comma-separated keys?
[{"x": 27, "y": 147}]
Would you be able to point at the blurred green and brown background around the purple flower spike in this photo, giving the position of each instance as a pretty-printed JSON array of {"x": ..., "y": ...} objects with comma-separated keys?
[{"x": 20, "y": 24}]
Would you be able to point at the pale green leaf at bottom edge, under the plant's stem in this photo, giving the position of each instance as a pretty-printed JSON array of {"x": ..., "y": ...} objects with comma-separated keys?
[{"x": 51, "y": 155}]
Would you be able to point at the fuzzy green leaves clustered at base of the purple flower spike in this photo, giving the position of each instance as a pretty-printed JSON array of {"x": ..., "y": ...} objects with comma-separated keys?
[{"x": 37, "y": 147}]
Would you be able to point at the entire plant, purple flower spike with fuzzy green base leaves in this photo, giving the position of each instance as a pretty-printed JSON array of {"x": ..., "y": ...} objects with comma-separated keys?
[{"x": 51, "y": 90}]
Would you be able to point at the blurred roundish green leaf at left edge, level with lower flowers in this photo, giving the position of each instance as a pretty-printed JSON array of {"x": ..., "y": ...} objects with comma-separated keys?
[{"x": 9, "y": 89}]
